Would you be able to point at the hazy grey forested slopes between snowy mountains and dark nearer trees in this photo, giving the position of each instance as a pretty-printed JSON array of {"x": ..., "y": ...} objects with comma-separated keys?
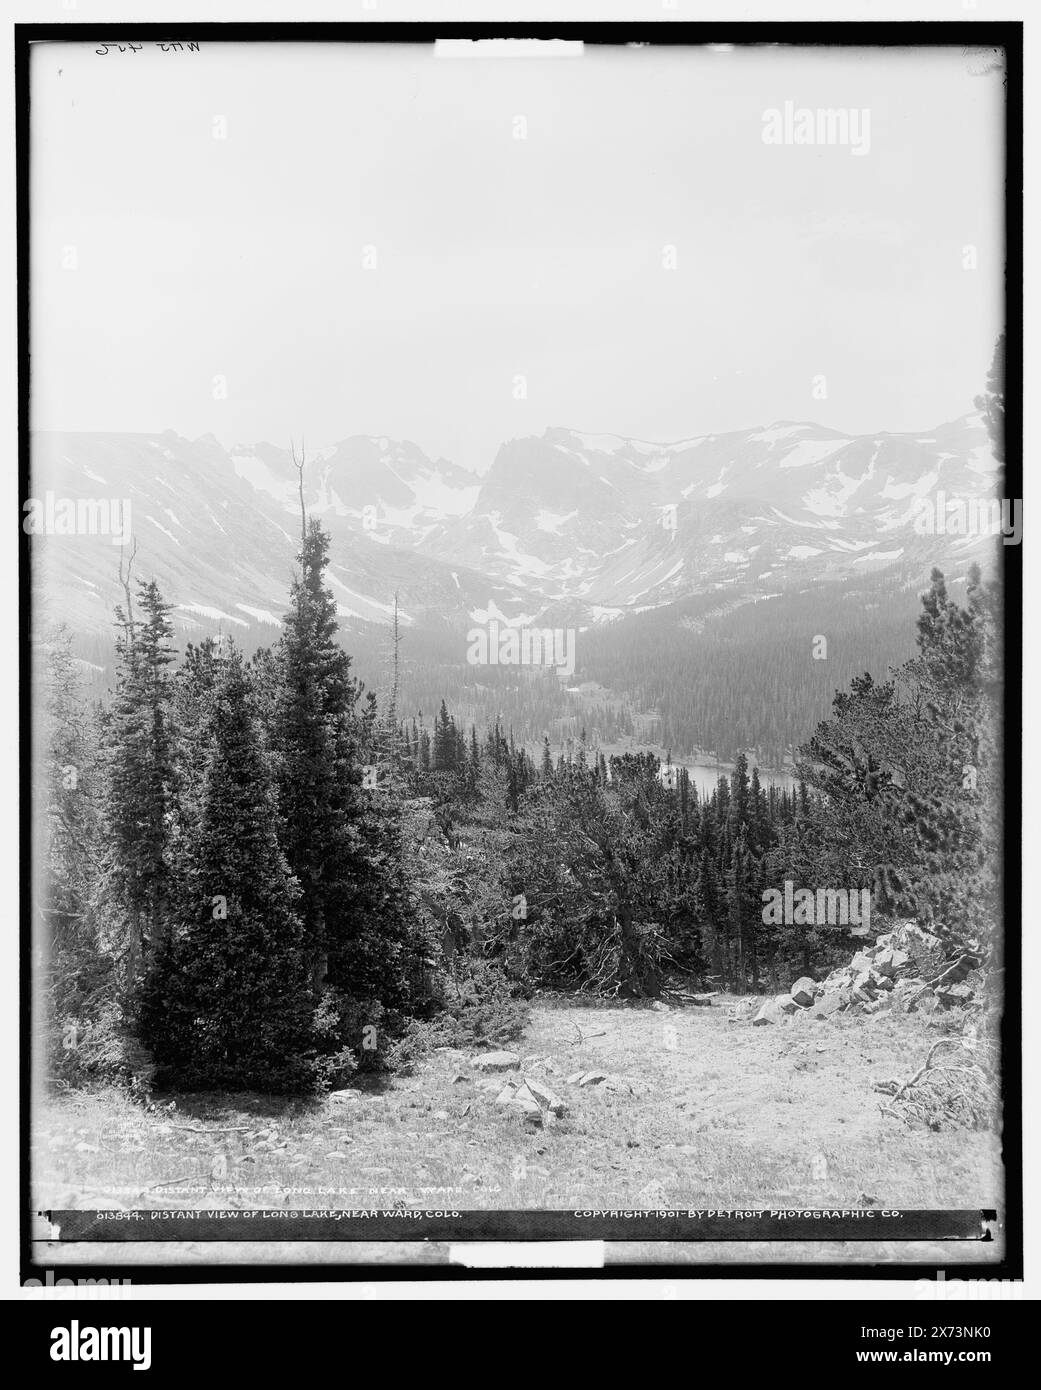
[{"x": 712, "y": 673}]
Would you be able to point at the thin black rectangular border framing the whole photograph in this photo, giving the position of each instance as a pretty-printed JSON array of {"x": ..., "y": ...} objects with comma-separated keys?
[{"x": 832, "y": 34}]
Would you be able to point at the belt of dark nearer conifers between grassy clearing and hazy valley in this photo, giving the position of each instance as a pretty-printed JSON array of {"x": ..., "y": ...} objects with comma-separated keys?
[{"x": 261, "y": 876}]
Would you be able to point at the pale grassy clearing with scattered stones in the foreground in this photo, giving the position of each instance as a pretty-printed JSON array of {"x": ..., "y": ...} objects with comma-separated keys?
[{"x": 715, "y": 1115}]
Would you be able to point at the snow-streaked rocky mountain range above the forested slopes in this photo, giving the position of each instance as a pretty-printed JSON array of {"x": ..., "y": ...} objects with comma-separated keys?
[{"x": 590, "y": 526}]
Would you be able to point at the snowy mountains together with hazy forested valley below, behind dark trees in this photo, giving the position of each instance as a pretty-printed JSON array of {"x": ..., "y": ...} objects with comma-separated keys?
[{"x": 694, "y": 578}]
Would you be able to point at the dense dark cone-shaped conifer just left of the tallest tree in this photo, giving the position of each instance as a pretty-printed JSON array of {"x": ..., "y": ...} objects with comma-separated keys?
[{"x": 229, "y": 1004}]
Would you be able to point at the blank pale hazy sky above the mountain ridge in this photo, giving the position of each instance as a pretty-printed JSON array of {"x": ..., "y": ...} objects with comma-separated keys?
[{"x": 165, "y": 258}]
